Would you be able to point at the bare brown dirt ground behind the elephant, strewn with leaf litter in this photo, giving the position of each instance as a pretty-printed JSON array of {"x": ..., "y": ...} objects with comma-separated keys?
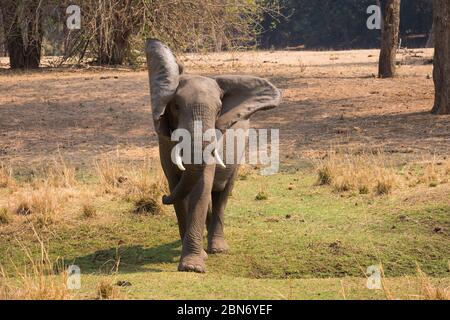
[{"x": 331, "y": 99}]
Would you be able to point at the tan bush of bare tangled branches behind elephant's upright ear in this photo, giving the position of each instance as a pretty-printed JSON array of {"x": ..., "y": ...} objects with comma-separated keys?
[{"x": 110, "y": 27}]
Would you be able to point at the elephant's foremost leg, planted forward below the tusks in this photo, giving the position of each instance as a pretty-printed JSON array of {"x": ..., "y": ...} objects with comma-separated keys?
[{"x": 193, "y": 255}]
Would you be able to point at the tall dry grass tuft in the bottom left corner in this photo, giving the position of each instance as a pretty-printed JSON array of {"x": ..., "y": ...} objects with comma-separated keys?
[{"x": 40, "y": 280}]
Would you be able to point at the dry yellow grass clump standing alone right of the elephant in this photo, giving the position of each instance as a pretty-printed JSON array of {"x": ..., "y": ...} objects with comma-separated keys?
[{"x": 361, "y": 172}]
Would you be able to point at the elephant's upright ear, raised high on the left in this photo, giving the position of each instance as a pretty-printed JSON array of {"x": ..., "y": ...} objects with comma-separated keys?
[{"x": 164, "y": 72}]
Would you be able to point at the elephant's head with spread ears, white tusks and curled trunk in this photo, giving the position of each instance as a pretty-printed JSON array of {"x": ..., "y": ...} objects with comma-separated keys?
[{"x": 178, "y": 100}]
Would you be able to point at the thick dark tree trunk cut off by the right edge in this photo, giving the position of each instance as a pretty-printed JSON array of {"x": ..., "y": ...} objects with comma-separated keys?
[{"x": 441, "y": 71}]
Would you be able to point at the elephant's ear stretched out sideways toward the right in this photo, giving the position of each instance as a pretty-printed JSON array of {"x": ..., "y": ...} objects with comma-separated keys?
[{"x": 243, "y": 96}]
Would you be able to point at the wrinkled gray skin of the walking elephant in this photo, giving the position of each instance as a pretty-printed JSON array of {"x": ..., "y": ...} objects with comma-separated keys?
[{"x": 200, "y": 193}]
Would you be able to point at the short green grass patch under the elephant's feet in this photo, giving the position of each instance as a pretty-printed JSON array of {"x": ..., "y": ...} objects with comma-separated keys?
[{"x": 300, "y": 242}]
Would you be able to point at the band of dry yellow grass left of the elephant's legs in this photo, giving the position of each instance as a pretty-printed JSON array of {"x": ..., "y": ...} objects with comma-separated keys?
[{"x": 55, "y": 194}]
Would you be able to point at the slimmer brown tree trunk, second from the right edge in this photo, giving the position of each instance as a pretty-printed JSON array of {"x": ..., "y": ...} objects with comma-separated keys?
[{"x": 389, "y": 38}]
